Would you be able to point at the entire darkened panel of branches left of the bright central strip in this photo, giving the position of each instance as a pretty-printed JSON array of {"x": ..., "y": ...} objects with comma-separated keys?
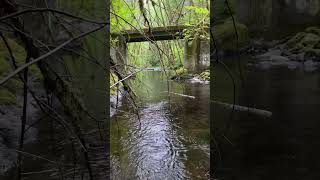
[{"x": 53, "y": 89}]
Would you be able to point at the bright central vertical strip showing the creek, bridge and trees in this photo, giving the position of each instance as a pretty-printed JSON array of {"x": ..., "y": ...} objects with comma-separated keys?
[{"x": 163, "y": 119}]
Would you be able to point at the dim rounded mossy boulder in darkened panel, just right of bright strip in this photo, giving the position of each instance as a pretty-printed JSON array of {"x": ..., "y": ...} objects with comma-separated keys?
[{"x": 226, "y": 36}]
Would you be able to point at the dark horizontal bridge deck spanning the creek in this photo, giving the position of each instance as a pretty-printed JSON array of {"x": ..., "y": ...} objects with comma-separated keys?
[{"x": 152, "y": 34}]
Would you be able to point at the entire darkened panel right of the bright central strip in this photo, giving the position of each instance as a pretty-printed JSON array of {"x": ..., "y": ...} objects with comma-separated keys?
[{"x": 265, "y": 54}]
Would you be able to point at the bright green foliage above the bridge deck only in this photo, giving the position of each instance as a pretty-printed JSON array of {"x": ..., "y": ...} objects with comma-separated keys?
[{"x": 124, "y": 14}]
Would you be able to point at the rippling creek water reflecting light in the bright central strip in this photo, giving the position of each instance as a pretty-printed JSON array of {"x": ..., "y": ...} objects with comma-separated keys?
[{"x": 171, "y": 139}]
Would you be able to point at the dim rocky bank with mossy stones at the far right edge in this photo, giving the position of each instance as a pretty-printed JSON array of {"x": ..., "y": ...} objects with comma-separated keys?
[{"x": 302, "y": 49}]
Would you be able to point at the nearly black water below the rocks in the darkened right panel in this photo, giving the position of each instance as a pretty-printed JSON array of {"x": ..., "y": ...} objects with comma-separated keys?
[{"x": 285, "y": 146}]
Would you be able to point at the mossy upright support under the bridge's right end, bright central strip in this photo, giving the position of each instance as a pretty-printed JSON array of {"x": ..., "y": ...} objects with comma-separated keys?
[{"x": 197, "y": 55}]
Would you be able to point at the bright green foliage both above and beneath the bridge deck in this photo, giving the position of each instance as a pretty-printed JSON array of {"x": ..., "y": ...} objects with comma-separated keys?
[{"x": 138, "y": 15}]
